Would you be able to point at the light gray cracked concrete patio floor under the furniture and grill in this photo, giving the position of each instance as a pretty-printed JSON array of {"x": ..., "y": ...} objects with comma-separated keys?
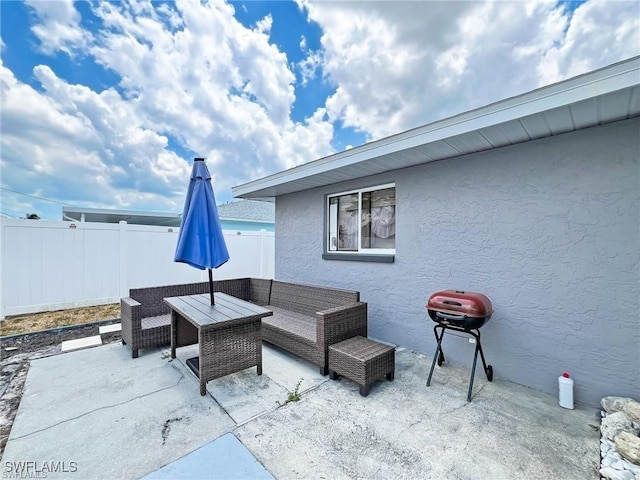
[{"x": 97, "y": 413}]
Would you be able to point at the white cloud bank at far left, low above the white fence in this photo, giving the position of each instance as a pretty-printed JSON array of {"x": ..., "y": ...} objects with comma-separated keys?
[{"x": 69, "y": 142}]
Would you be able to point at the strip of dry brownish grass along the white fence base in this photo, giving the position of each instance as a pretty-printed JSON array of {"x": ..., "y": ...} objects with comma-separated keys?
[{"x": 42, "y": 321}]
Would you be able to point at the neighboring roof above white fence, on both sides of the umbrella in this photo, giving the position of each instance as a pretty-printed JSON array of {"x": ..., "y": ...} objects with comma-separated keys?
[{"x": 241, "y": 211}]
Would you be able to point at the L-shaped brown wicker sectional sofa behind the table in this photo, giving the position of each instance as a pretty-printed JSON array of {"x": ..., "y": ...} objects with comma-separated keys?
[{"x": 306, "y": 319}]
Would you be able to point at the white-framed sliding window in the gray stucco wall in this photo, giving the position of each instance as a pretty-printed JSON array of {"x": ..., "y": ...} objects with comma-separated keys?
[{"x": 363, "y": 221}]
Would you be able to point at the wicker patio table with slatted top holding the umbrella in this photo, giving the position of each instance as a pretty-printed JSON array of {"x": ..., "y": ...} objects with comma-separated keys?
[{"x": 229, "y": 334}]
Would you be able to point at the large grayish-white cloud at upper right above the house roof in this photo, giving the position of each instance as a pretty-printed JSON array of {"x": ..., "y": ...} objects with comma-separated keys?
[{"x": 397, "y": 65}]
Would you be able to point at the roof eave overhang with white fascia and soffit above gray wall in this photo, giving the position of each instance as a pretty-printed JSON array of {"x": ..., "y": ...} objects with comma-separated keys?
[{"x": 602, "y": 96}]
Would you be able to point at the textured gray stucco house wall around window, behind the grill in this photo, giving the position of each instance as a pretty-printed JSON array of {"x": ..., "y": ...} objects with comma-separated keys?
[{"x": 549, "y": 230}]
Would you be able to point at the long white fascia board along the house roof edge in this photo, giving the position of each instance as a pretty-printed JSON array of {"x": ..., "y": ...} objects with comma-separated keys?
[{"x": 593, "y": 84}]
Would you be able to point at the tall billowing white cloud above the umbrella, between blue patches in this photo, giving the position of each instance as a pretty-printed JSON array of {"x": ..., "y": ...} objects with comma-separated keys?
[{"x": 222, "y": 88}]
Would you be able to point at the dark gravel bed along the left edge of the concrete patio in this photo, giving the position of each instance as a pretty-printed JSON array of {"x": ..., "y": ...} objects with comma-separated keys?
[{"x": 16, "y": 355}]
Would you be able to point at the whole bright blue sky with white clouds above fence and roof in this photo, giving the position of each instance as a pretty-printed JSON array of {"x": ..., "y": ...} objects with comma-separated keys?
[{"x": 105, "y": 104}]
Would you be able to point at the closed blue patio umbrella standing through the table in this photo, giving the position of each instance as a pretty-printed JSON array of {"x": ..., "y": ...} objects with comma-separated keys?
[{"x": 201, "y": 243}]
